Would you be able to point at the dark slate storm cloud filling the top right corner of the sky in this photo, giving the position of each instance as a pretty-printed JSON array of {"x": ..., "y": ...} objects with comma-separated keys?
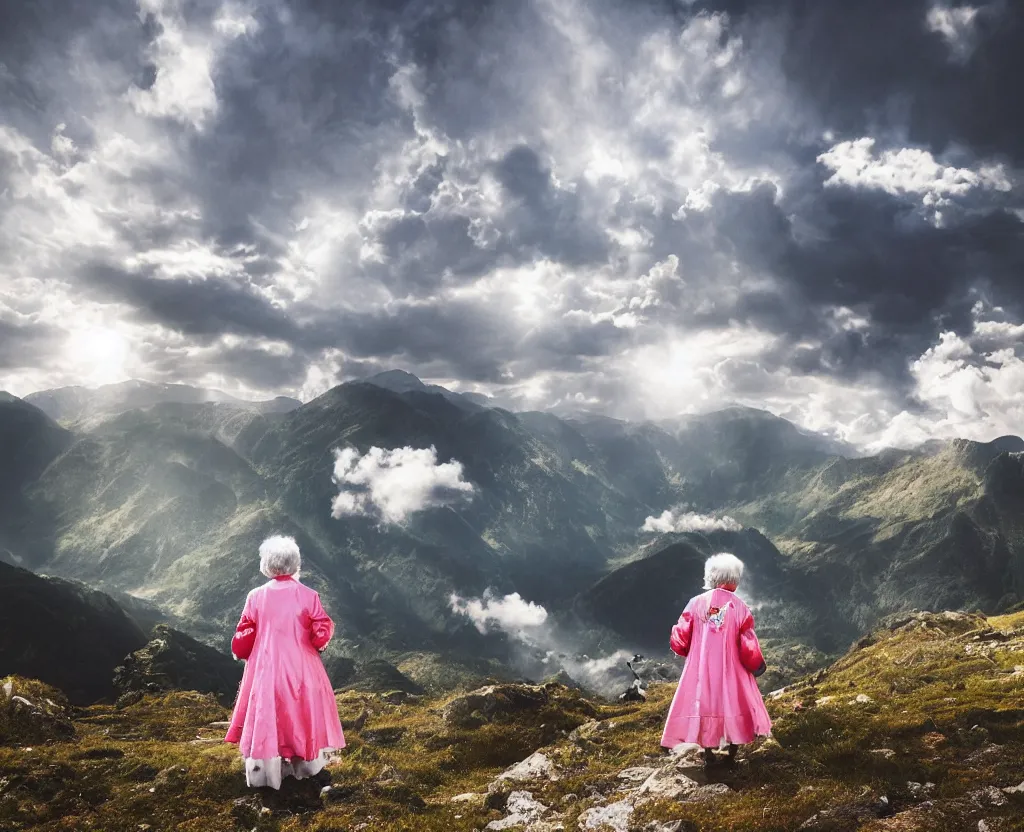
[{"x": 875, "y": 66}]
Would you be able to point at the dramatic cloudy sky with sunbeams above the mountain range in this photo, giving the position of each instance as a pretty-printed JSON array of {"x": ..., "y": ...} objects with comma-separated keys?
[{"x": 643, "y": 207}]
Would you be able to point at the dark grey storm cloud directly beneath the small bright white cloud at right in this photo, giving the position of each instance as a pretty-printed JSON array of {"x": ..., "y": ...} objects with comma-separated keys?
[{"x": 870, "y": 253}]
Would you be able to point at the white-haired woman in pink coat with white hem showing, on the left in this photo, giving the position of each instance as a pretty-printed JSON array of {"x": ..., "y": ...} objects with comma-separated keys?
[{"x": 286, "y": 718}]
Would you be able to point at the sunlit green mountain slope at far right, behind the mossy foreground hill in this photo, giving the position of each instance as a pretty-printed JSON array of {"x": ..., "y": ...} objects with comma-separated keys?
[{"x": 936, "y": 530}]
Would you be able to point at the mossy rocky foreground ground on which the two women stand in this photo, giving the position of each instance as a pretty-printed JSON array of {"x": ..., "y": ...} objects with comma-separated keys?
[{"x": 921, "y": 727}]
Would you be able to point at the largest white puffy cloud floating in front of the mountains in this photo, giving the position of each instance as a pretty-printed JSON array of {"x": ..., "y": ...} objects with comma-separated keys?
[{"x": 394, "y": 485}]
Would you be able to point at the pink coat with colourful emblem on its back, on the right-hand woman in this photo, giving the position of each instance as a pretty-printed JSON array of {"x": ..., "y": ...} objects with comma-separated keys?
[{"x": 718, "y": 697}]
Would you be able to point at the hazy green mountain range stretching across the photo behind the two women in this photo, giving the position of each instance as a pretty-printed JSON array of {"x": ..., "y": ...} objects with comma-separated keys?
[{"x": 163, "y": 494}]
